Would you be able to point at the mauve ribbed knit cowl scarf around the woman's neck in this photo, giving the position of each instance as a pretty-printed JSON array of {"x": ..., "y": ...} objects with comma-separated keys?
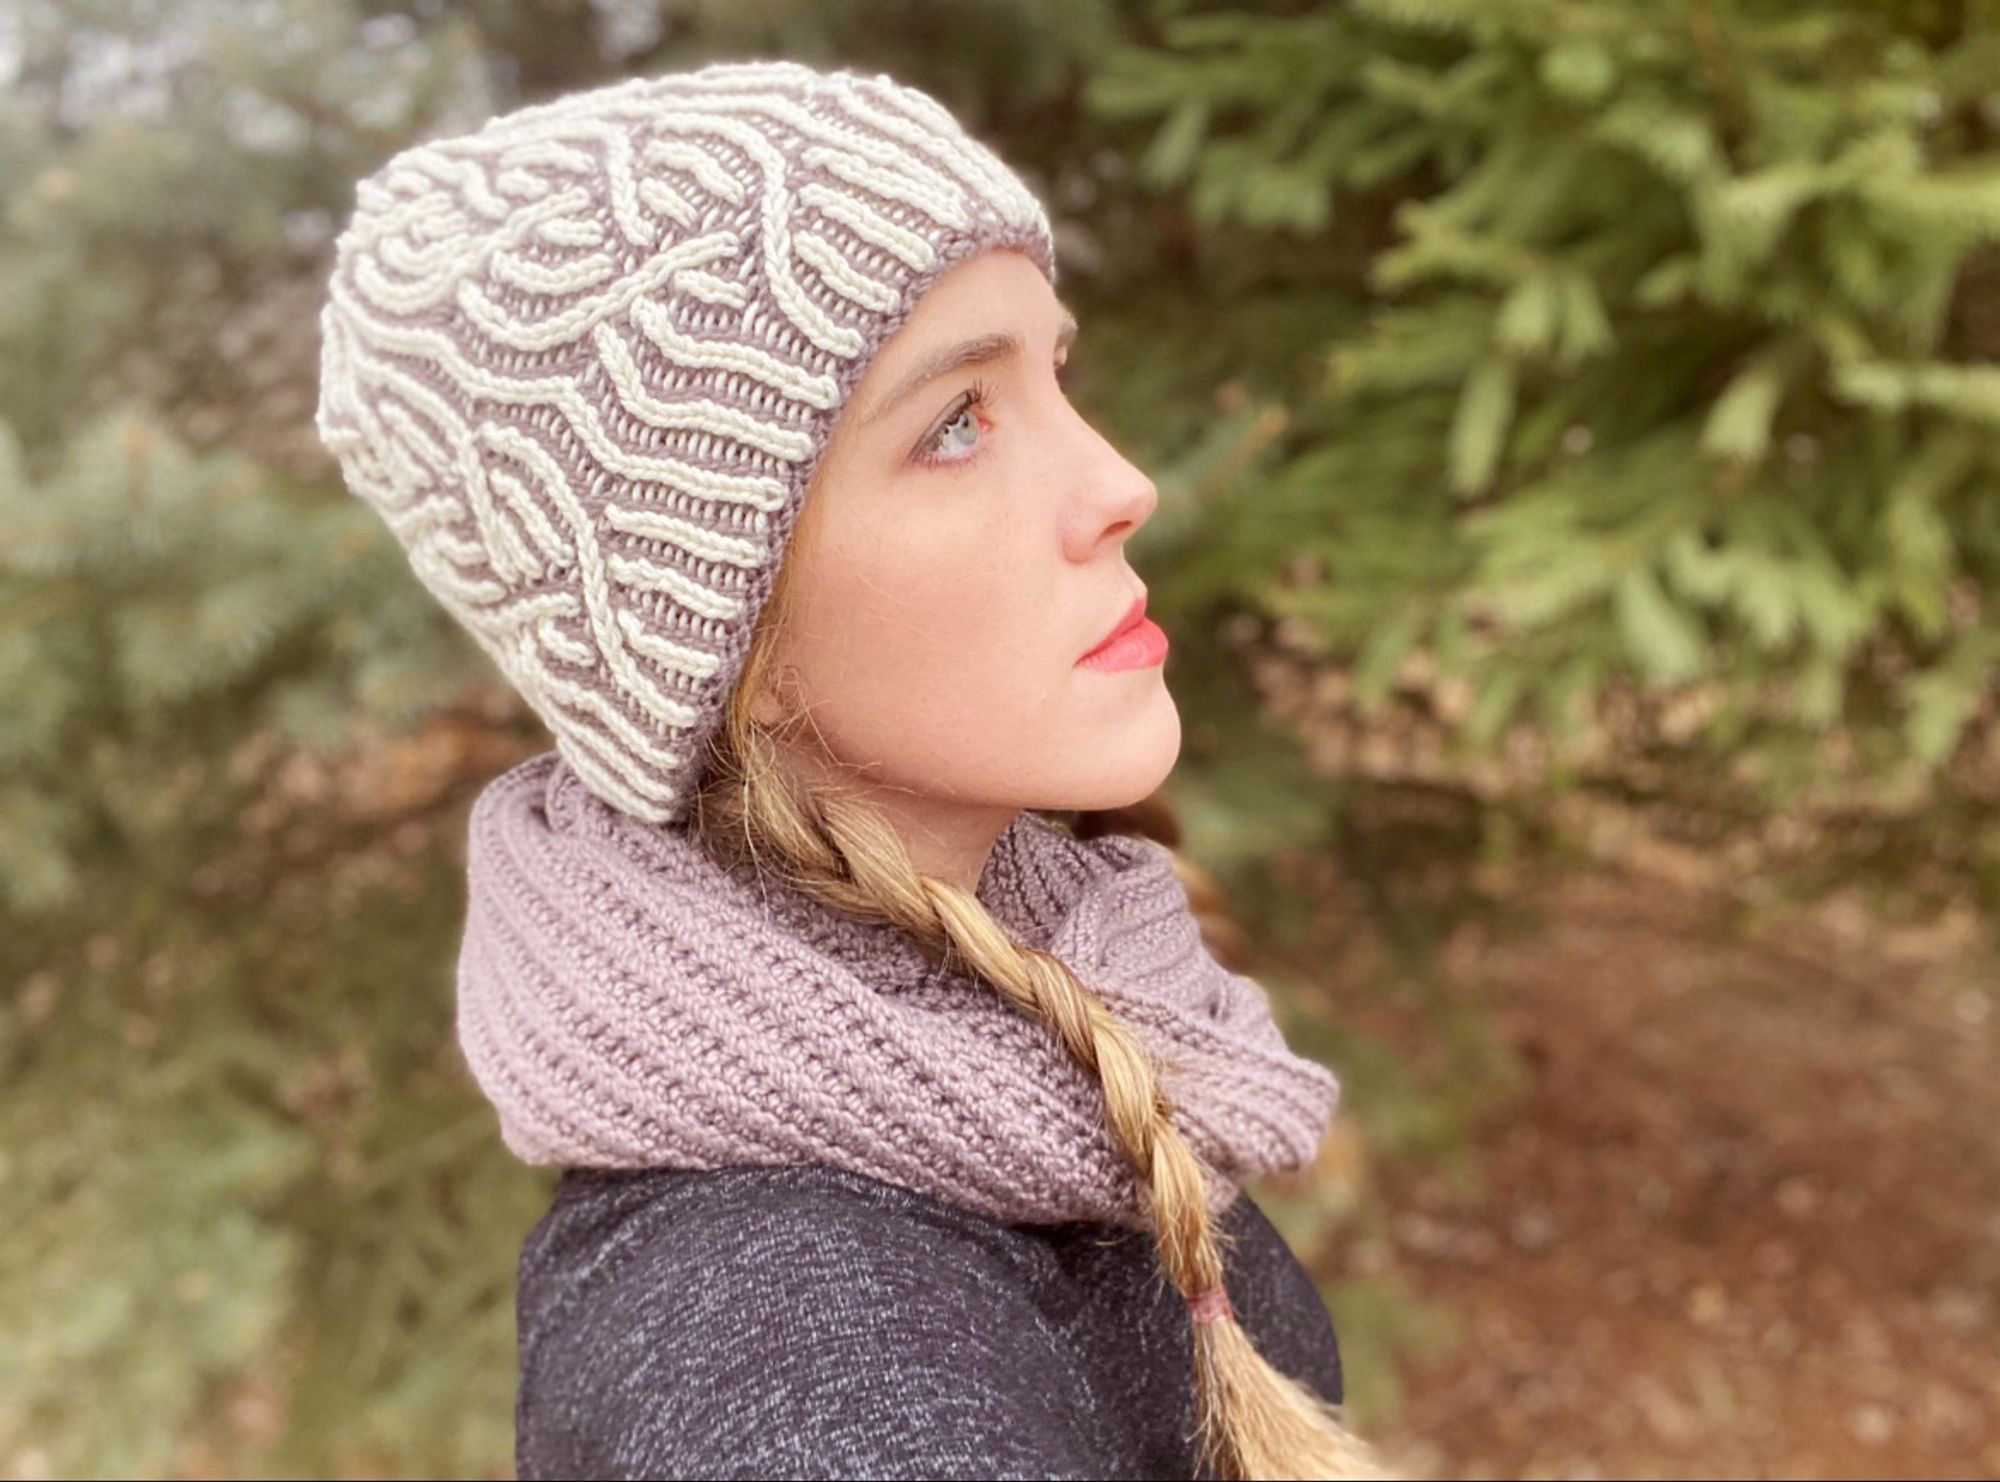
[{"x": 629, "y": 1003}]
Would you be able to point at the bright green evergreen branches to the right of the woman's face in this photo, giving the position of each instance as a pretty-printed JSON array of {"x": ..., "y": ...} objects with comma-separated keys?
[{"x": 1677, "y": 365}]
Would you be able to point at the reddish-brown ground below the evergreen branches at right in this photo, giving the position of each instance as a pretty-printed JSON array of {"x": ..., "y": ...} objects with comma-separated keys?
[{"x": 1745, "y": 1217}]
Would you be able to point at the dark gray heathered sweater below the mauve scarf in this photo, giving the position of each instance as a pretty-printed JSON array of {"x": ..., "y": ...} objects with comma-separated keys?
[{"x": 813, "y": 1323}]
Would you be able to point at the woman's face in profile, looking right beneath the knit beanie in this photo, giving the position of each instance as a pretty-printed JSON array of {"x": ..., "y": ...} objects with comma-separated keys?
[{"x": 961, "y": 551}]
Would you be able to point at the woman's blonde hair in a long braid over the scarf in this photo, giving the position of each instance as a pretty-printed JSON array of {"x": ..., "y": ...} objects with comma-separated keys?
[{"x": 1253, "y": 1421}]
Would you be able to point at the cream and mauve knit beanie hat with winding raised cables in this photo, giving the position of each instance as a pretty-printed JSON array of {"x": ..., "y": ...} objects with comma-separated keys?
[{"x": 587, "y": 359}]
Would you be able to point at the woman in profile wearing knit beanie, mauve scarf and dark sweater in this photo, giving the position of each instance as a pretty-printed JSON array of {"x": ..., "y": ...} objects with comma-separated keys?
[{"x": 903, "y": 1111}]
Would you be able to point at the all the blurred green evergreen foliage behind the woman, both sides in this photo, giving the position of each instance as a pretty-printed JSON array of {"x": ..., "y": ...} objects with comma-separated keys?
[{"x": 1577, "y": 347}]
